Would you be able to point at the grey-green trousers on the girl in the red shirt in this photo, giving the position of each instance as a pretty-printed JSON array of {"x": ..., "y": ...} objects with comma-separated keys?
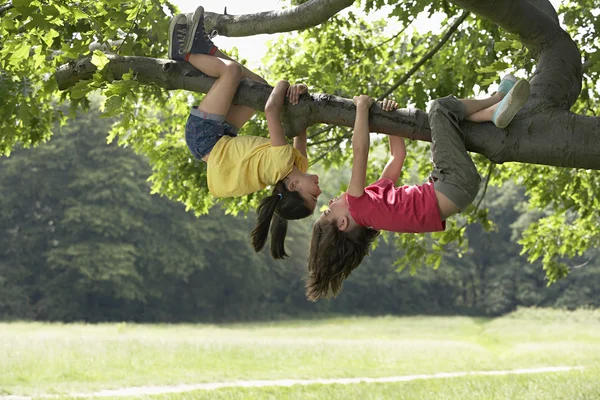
[{"x": 454, "y": 173}]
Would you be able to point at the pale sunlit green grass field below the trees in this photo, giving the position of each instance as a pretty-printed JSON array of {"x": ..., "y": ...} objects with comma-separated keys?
[{"x": 37, "y": 359}]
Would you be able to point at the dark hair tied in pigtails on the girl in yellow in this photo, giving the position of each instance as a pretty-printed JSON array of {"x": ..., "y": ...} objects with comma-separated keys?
[{"x": 273, "y": 212}]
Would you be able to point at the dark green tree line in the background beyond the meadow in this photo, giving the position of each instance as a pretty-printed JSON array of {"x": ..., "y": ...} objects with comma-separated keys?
[{"x": 82, "y": 238}]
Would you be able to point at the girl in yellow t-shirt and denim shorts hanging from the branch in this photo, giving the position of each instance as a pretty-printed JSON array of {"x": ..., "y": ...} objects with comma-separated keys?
[{"x": 240, "y": 165}]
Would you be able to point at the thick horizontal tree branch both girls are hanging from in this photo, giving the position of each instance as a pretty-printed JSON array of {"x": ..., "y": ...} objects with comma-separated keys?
[{"x": 573, "y": 144}]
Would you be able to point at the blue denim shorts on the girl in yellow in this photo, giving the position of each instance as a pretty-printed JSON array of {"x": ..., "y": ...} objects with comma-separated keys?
[{"x": 203, "y": 131}]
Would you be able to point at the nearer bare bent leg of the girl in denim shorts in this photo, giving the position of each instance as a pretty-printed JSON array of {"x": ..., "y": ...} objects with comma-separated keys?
[{"x": 228, "y": 74}]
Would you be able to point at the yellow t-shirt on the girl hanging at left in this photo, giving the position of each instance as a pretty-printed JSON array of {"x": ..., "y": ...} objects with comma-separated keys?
[{"x": 241, "y": 165}]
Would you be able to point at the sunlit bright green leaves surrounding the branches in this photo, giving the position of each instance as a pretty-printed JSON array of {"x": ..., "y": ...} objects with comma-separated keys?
[{"x": 344, "y": 56}]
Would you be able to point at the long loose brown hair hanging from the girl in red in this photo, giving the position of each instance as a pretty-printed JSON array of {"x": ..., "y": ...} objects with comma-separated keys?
[{"x": 333, "y": 256}]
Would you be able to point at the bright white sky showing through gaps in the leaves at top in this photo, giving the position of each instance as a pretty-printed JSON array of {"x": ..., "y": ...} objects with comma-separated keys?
[{"x": 253, "y": 48}]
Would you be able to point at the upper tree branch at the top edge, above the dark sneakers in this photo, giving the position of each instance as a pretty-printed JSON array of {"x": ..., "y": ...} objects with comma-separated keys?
[{"x": 307, "y": 15}]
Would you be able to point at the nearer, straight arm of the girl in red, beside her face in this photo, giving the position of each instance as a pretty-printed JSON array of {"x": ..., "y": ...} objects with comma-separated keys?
[{"x": 360, "y": 146}]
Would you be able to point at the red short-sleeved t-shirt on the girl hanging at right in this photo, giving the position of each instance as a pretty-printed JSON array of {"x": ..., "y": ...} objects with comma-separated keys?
[{"x": 407, "y": 209}]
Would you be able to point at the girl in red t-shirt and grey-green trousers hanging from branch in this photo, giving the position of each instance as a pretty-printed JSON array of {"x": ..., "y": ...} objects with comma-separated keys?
[{"x": 343, "y": 234}]
